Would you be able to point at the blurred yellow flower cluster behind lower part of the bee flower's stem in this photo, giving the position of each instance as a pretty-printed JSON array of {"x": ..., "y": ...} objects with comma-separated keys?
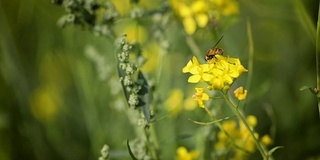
[{"x": 239, "y": 142}]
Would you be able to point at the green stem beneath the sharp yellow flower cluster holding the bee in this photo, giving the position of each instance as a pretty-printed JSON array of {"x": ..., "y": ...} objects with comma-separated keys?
[{"x": 263, "y": 152}]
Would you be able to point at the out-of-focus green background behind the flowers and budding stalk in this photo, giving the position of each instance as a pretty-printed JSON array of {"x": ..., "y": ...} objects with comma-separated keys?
[{"x": 55, "y": 104}]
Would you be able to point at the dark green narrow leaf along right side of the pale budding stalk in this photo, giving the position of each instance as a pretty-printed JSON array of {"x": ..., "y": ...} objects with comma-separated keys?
[{"x": 144, "y": 96}]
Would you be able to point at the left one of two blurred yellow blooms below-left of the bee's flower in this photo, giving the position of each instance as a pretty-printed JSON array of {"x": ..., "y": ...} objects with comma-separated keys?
[{"x": 174, "y": 102}]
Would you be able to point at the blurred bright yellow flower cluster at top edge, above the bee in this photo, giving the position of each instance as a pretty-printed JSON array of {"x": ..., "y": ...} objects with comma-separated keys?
[{"x": 198, "y": 13}]
